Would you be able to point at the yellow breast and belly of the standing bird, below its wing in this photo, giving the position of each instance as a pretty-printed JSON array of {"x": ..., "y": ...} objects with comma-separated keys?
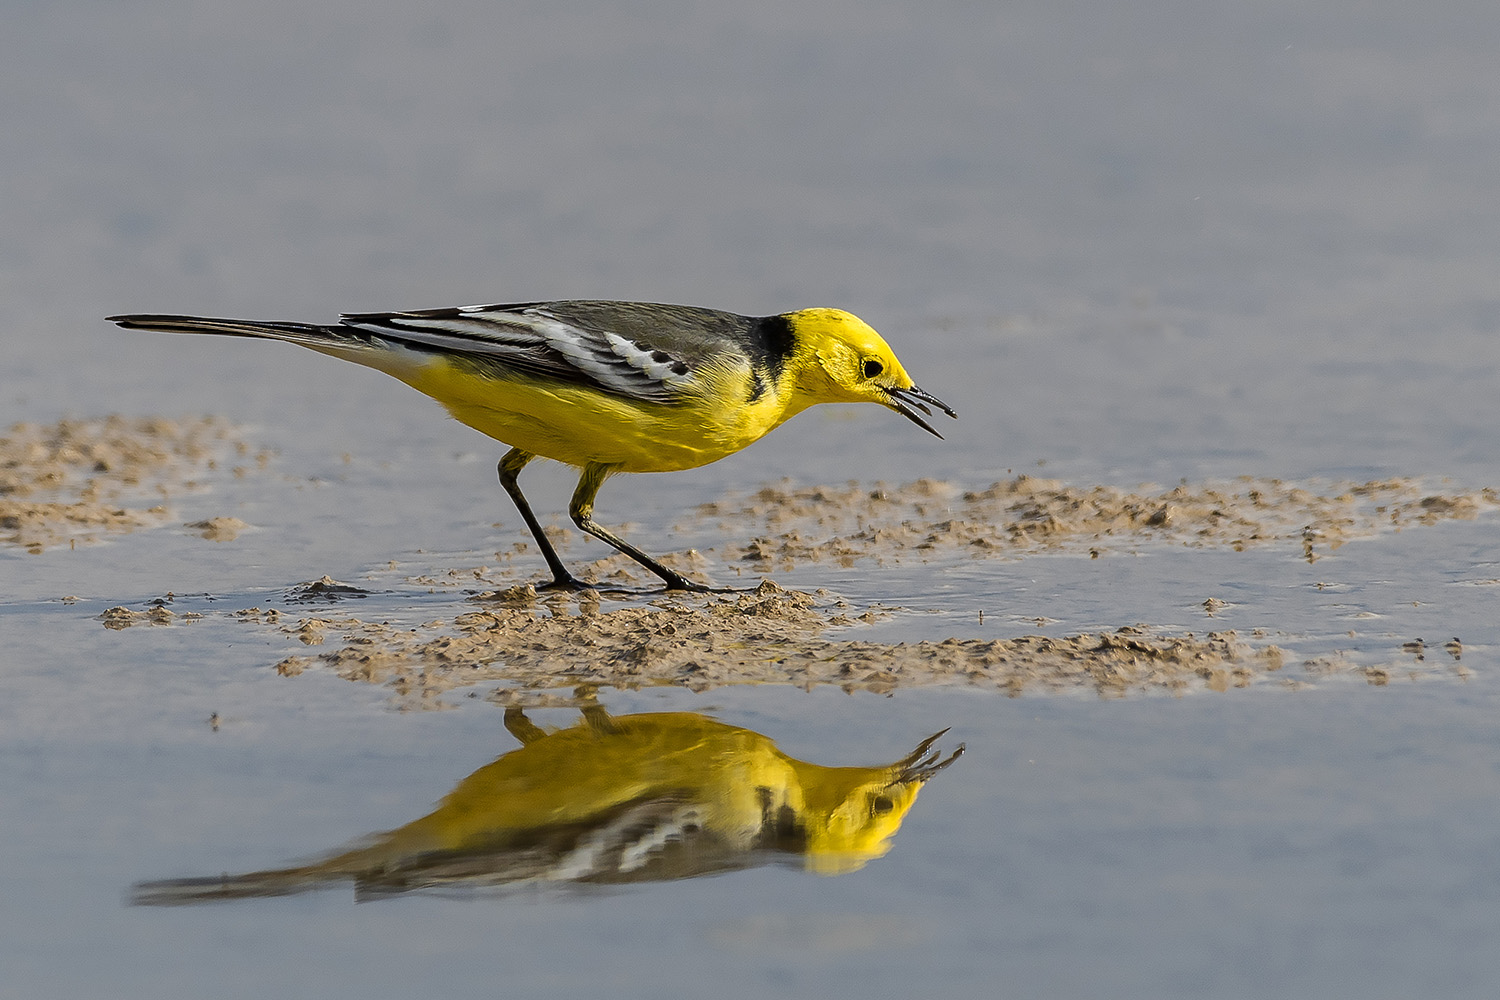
[{"x": 580, "y": 425}]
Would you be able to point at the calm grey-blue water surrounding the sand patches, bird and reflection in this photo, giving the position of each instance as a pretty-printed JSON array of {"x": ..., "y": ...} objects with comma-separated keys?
[{"x": 1129, "y": 245}]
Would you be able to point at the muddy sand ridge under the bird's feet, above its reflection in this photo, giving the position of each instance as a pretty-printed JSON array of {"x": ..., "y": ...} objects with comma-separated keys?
[{"x": 530, "y": 645}]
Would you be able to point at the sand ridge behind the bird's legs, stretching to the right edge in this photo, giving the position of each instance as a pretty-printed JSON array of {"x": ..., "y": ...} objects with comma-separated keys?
[{"x": 1025, "y": 513}]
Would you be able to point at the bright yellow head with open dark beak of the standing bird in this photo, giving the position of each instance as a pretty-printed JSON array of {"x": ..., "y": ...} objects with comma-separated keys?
[{"x": 848, "y": 362}]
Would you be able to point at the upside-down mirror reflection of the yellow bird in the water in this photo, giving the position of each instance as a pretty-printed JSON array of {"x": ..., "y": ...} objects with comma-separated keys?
[{"x": 614, "y": 800}]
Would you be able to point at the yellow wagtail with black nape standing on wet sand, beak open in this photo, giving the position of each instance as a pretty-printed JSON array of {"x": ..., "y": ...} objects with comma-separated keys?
[{"x": 608, "y": 386}]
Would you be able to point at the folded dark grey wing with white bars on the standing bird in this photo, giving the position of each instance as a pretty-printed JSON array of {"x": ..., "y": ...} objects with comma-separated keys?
[{"x": 607, "y": 346}]
